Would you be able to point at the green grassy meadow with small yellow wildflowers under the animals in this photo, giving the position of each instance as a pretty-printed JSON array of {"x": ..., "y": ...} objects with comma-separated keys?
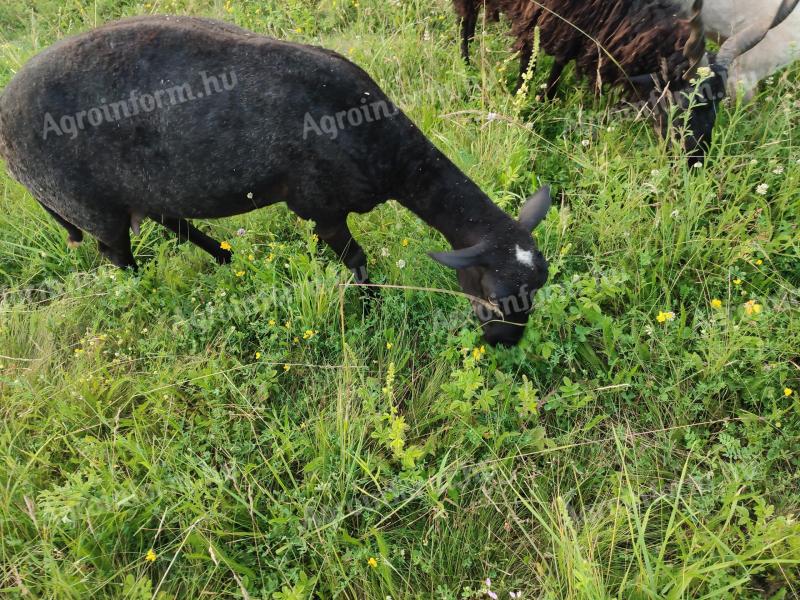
[{"x": 608, "y": 456}]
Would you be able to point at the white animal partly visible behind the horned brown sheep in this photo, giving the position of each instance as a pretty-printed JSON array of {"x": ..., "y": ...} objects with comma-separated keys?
[{"x": 781, "y": 46}]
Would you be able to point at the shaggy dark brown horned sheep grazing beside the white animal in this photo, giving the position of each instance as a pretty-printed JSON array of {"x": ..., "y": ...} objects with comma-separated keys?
[{"x": 642, "y": 46}]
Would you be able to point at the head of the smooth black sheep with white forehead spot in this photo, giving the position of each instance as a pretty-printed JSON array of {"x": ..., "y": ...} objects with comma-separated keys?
[{"x": 502, "y": 273}]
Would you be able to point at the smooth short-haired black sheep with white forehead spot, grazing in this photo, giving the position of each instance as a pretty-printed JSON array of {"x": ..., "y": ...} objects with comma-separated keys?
[{"x": 174, "y": 117}]
